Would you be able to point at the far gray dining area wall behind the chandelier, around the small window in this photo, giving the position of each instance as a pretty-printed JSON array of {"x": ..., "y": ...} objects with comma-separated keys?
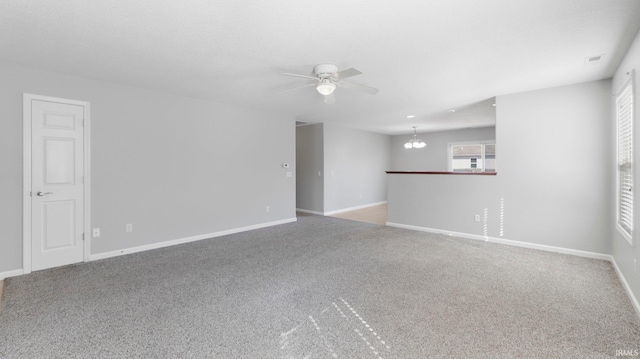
[{"x": 434, "y": 157}]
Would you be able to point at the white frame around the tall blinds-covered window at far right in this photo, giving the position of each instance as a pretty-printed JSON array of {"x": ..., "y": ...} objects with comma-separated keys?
[{"x": 628, "y": 85}]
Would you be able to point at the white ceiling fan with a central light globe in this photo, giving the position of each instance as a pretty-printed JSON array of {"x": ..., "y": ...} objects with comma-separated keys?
[{"x": 327, "y": 78}]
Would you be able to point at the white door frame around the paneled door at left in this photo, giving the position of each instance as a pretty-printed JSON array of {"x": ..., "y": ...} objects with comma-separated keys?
[{"x": 26, "y": 176}]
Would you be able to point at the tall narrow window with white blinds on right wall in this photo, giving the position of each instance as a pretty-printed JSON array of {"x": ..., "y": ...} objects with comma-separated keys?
[{"x": 624, "y": 118}]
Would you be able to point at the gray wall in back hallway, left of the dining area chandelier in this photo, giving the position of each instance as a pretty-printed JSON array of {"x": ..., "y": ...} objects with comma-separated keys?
[{"x": 355, "y": 162}]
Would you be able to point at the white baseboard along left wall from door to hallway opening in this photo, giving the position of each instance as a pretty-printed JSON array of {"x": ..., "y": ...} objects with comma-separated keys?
[{"x": 174, "y": 242}]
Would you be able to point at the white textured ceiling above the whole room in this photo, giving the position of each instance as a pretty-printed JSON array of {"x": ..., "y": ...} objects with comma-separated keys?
[{"x": 426, "y": 57}]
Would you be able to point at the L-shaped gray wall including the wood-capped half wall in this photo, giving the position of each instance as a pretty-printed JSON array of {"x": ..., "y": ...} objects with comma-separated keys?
[{"x": 553, "y": 148}]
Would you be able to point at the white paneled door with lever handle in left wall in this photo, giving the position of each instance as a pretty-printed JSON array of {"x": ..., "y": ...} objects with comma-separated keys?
[{"x": 57, "y": 189}]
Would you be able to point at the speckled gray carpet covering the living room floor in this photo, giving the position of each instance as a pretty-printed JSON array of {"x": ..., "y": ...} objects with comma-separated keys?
[{"x": 322, "y": 288}]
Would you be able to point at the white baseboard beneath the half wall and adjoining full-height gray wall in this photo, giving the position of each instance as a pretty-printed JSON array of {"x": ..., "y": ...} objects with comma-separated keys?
[{"x": 510, "y": 242}]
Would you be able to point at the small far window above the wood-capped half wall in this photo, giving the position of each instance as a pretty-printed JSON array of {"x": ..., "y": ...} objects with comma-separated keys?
[{"x": 472, "y": 156}]
